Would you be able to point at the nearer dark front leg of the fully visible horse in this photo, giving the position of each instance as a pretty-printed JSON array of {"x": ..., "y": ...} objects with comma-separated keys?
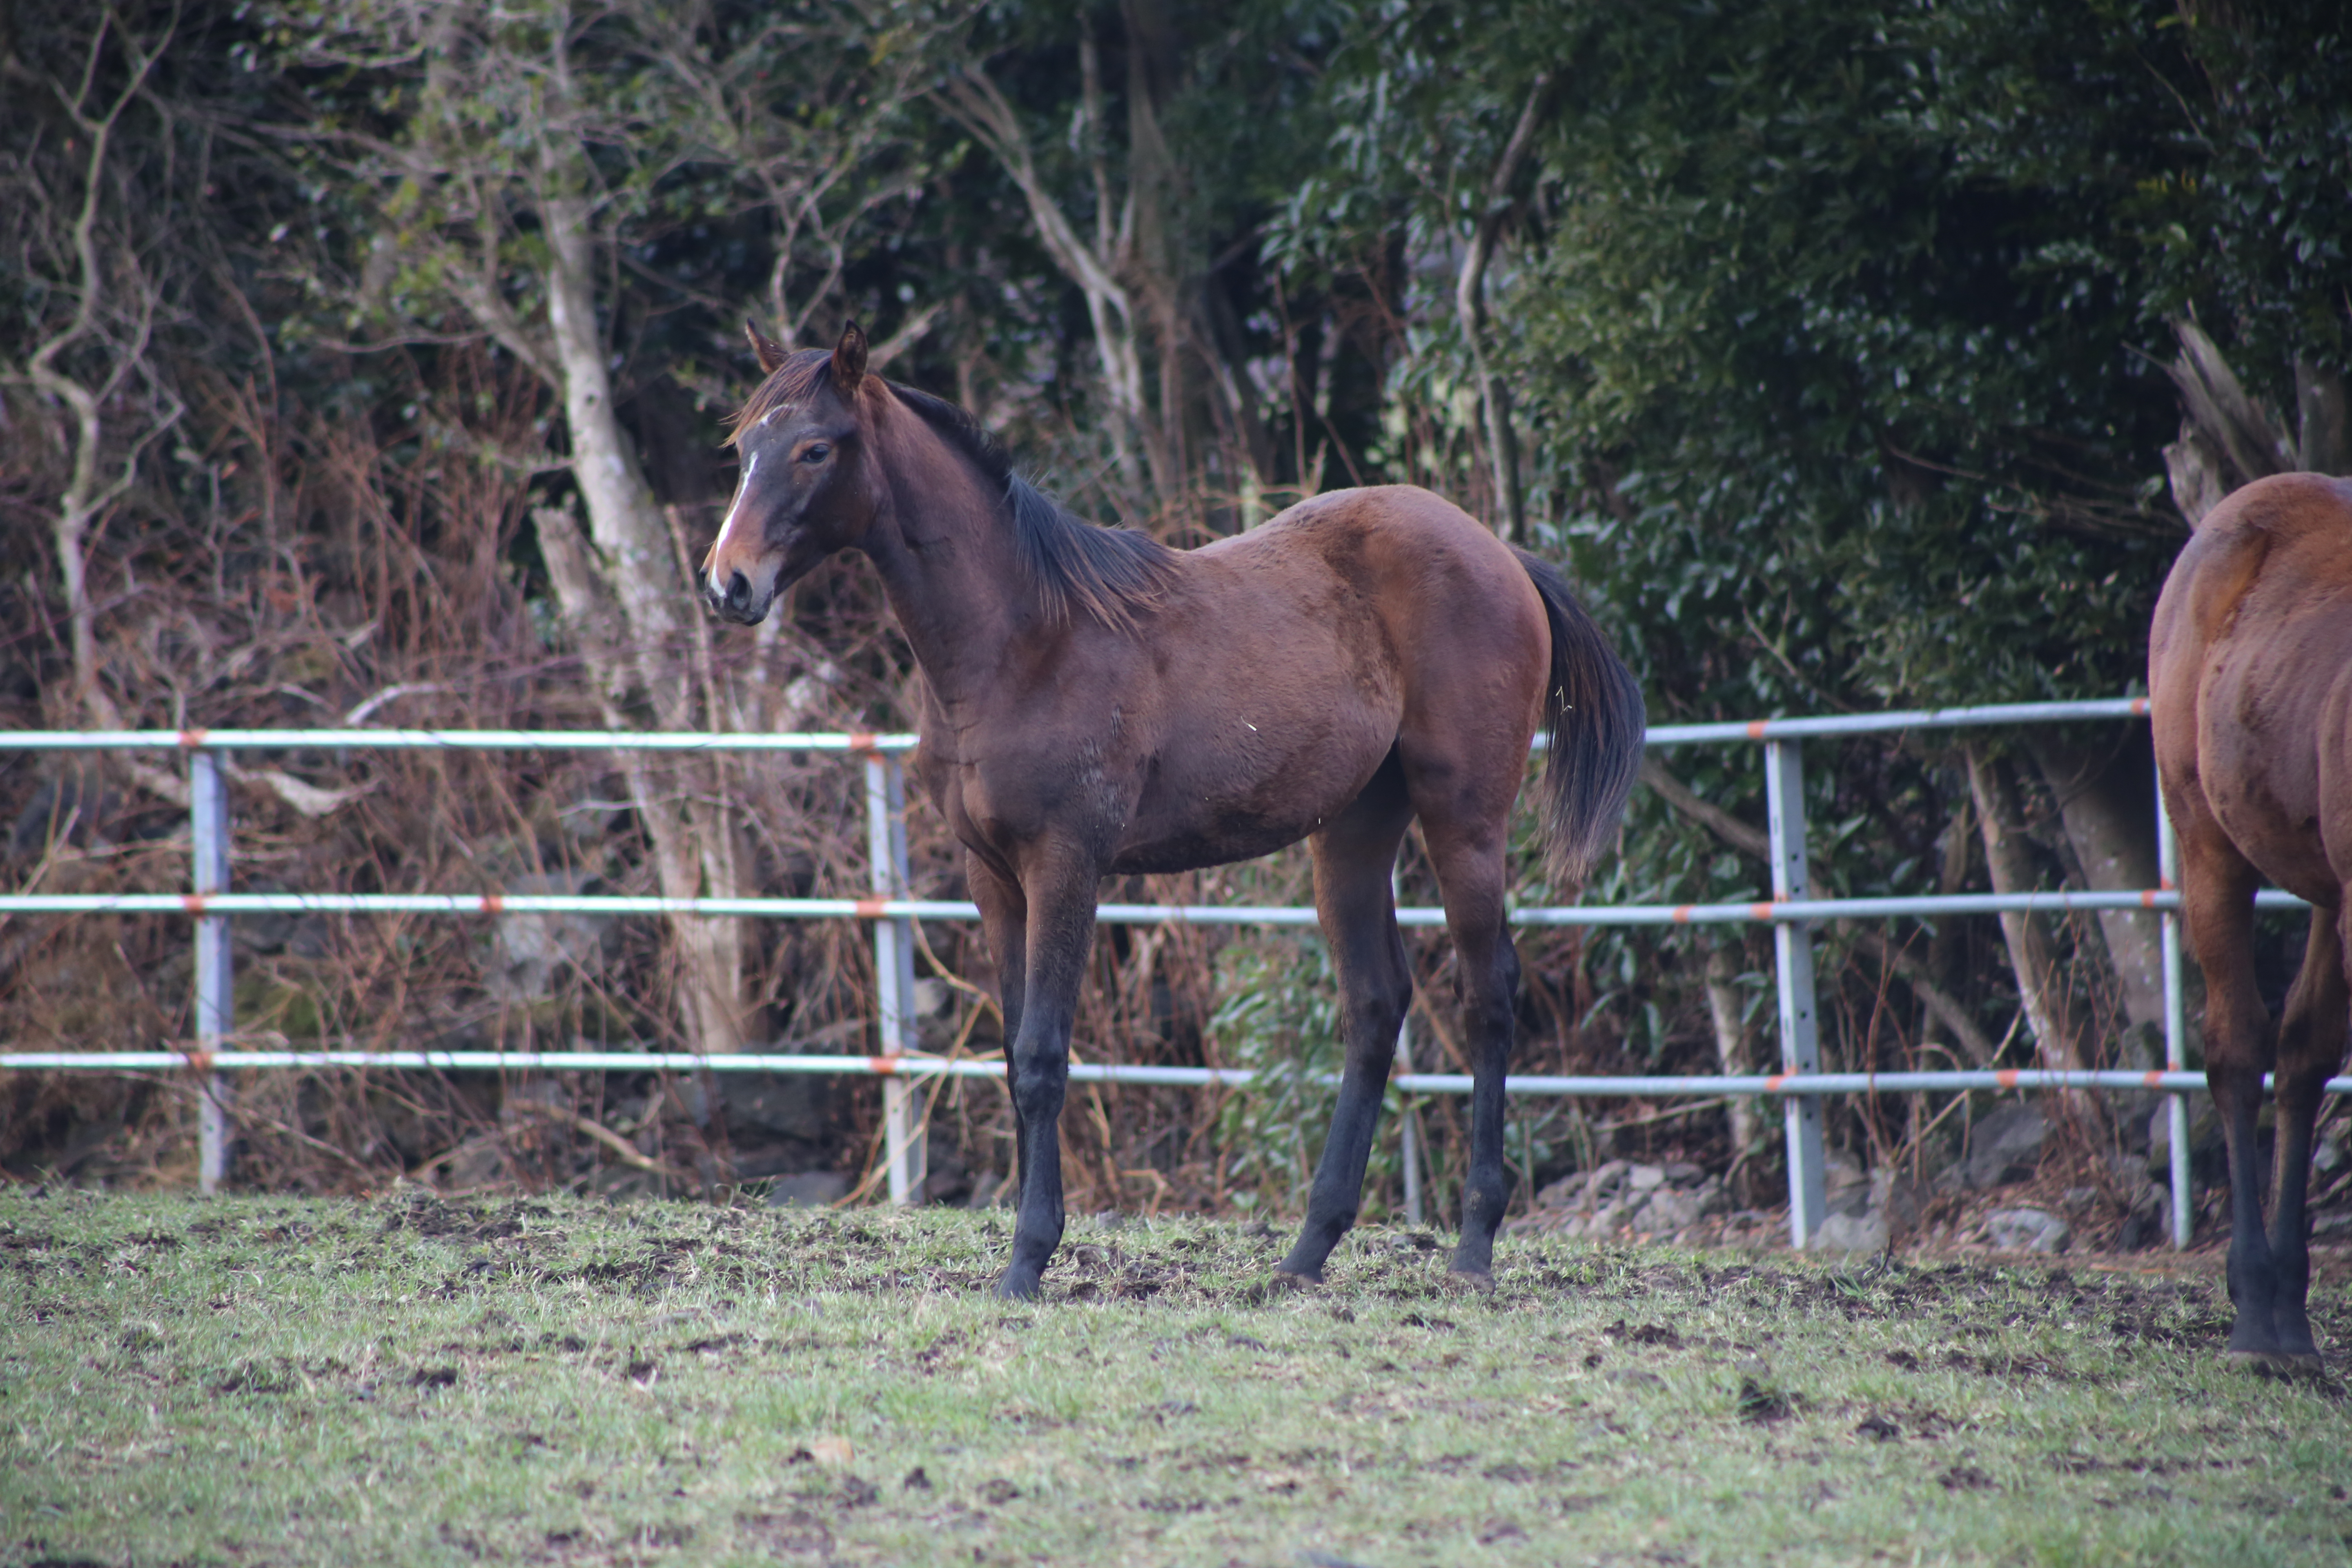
[{"x": 1038, "y": 1059}]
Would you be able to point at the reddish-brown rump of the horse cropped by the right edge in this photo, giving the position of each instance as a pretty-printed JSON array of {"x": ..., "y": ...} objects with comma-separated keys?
[{"x": 2250, "y": 671}]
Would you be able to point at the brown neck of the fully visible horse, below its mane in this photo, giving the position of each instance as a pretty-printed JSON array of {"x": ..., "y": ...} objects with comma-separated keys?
[{"x": 947, "y": 556}]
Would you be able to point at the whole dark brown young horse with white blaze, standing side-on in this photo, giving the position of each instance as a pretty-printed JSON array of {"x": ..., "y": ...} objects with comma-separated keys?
[{"x": 1102, "y": 704}]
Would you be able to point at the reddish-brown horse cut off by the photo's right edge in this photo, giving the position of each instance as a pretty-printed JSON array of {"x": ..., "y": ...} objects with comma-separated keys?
[{"x": 2250, "y": 676}]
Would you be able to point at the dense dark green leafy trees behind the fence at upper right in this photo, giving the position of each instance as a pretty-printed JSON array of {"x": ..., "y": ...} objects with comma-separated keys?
[{"x": 1833, "y": 316}]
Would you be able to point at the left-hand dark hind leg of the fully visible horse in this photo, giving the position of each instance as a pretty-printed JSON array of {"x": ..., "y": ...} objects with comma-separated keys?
[{"x": 1358, "y": 911}]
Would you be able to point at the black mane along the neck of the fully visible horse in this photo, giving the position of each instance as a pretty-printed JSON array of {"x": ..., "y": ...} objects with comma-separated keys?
[{"x": 1107, "y": 572}]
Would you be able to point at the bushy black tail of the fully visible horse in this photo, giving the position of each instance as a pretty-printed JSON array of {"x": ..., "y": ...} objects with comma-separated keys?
[{"x": 1598, "y": 721}]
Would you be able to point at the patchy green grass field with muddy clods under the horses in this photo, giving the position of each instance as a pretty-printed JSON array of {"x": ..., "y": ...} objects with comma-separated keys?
[{"x": 410, "y": 1381}]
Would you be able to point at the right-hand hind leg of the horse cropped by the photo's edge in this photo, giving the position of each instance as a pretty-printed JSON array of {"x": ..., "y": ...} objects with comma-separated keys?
[{"x": 2311, "y": 1050}]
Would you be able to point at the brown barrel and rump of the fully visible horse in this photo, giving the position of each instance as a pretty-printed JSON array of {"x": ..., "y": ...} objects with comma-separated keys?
[{"x": 1285, "y": 664}]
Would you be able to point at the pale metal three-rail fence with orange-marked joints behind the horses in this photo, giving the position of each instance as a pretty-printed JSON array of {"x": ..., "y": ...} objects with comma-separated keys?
[{"x": 907, "y": 1071}]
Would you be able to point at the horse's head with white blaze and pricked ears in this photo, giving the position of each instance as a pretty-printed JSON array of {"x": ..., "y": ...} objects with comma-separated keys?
[{"x": 803, "y": 492}]
